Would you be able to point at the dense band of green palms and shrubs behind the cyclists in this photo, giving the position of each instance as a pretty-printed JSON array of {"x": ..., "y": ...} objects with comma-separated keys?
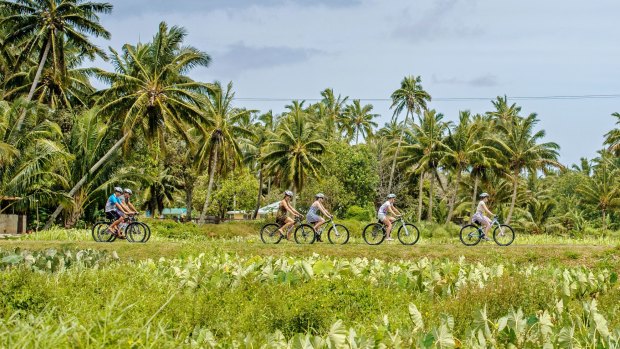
[{"x": 179, "y": 142}]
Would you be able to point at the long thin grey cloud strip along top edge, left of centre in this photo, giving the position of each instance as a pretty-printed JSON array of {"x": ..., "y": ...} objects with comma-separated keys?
[{"x": 125, "y": 8}]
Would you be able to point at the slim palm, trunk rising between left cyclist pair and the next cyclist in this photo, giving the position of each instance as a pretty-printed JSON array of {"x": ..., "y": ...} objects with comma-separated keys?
[{"x": 221, "y": 140}]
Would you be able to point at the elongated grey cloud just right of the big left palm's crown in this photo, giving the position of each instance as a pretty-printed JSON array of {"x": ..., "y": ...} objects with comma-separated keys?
[{"x": 239, "y": 58}]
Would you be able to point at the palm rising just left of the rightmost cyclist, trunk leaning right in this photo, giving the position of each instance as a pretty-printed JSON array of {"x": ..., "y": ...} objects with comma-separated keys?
[{"x": 462, "y": 147}]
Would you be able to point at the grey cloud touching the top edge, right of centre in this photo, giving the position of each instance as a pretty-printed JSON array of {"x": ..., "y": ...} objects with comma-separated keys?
[{"x": 438, "y": 21}]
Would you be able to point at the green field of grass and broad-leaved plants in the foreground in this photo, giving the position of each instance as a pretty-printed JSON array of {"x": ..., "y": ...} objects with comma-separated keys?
[{"x": 220, "y": 286}]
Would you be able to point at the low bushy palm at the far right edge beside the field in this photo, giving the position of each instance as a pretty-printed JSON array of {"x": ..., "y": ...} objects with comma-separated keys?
[{"x": 602, "y": 189}]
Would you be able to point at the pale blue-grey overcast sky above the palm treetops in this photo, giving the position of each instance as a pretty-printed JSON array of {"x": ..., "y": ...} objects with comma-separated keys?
[{"x": 293, "y": 49}]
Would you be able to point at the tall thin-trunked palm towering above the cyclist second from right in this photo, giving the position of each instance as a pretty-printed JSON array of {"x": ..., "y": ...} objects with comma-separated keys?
[{"x": 412, "y": 97}]
